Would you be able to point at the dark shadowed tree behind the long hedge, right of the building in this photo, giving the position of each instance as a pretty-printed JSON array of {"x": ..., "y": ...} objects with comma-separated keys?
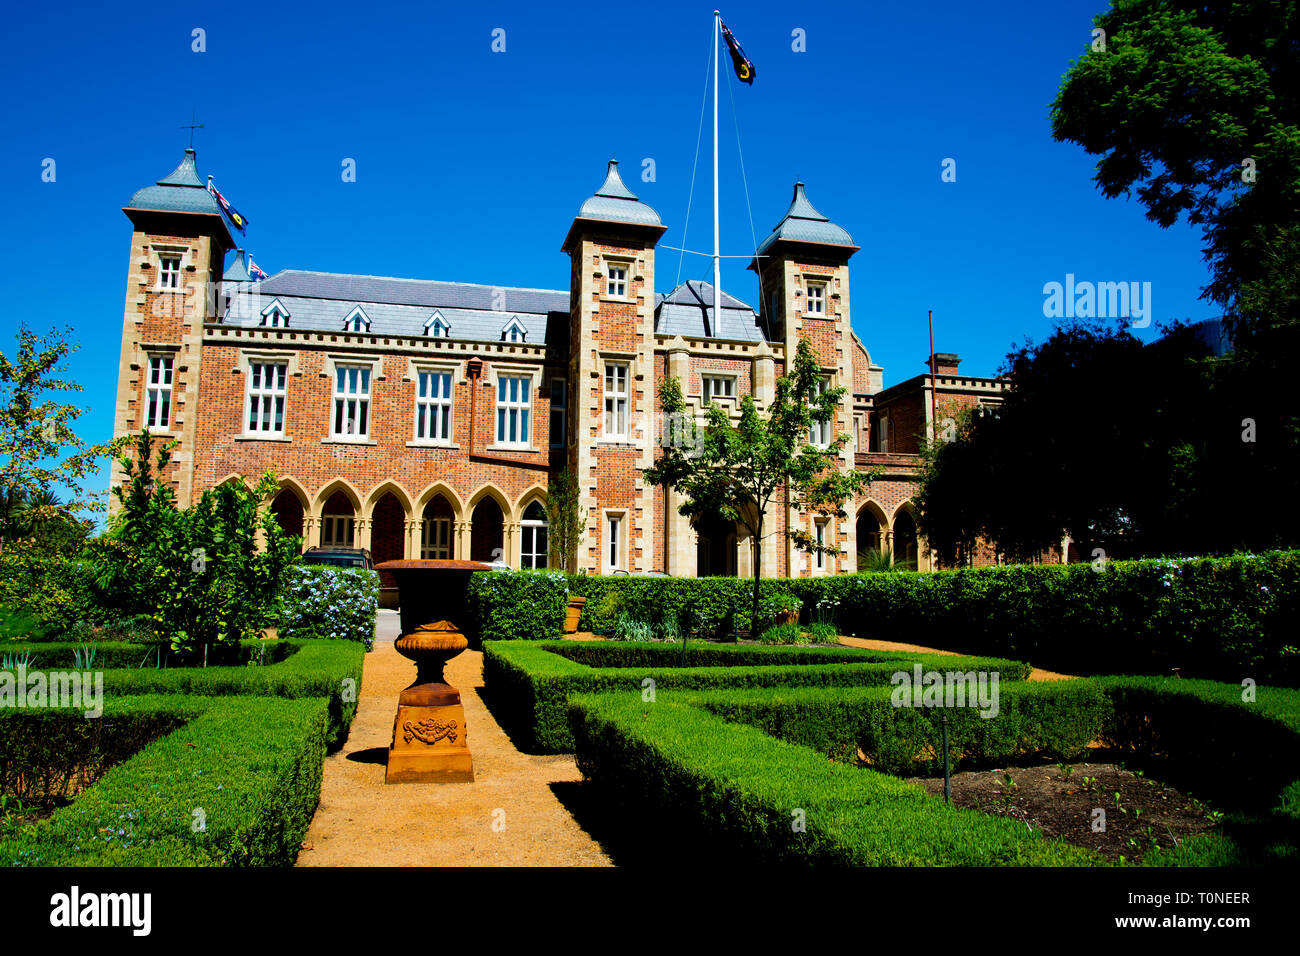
[{"x": 1100, "y": 438}]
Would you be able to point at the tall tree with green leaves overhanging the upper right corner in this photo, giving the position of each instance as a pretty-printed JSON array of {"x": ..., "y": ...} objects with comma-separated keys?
[{"x": 1197, "y": 106}]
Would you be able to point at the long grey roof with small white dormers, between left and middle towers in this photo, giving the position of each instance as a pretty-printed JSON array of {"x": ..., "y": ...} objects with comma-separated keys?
[{"x": 322, "y": 301}]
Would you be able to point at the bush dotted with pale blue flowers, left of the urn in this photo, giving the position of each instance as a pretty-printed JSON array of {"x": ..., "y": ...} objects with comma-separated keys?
[{"x": 330, "y": 603}]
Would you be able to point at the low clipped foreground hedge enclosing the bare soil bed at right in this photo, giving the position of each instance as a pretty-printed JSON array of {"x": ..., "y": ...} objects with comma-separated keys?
[{"x": 731, "y": 767}]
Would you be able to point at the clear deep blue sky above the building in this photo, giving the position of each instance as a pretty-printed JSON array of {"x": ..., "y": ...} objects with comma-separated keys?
[{"x": 471, "y": 165}]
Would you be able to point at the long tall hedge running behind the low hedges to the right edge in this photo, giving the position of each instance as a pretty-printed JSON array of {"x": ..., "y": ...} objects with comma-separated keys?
[{"x": 1219, "y": 618}]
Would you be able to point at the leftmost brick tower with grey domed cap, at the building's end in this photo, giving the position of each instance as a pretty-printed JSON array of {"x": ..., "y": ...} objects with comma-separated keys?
[{"x": 179, "y": 245}]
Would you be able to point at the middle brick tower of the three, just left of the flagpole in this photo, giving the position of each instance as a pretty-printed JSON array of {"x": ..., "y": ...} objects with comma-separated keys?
[{"x": 612, "y": 374}]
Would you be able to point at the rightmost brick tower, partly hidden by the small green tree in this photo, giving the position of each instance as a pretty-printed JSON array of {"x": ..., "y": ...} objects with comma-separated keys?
[{"x": 804, "y": 275}]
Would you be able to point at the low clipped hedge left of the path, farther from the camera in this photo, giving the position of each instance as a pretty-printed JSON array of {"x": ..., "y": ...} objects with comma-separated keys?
[{"x": 307, "y": 669}]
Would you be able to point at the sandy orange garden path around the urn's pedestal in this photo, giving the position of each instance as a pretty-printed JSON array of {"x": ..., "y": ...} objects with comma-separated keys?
[{"x": 362, "y": 821}]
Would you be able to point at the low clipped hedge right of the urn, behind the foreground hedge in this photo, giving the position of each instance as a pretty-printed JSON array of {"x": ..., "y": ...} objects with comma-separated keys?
[{"x": 530, "y": 685}]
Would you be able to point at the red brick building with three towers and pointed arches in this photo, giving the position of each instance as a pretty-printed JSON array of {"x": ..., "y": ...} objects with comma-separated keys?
[{"x": 424, "y": 419}]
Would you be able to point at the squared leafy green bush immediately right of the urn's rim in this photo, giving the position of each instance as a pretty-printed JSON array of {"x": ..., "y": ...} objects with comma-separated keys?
[{"x": 508, "y": 605}]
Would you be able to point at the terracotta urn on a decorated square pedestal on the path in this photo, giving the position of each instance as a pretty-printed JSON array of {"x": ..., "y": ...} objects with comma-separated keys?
[{"x": 430, "y": 736}]
